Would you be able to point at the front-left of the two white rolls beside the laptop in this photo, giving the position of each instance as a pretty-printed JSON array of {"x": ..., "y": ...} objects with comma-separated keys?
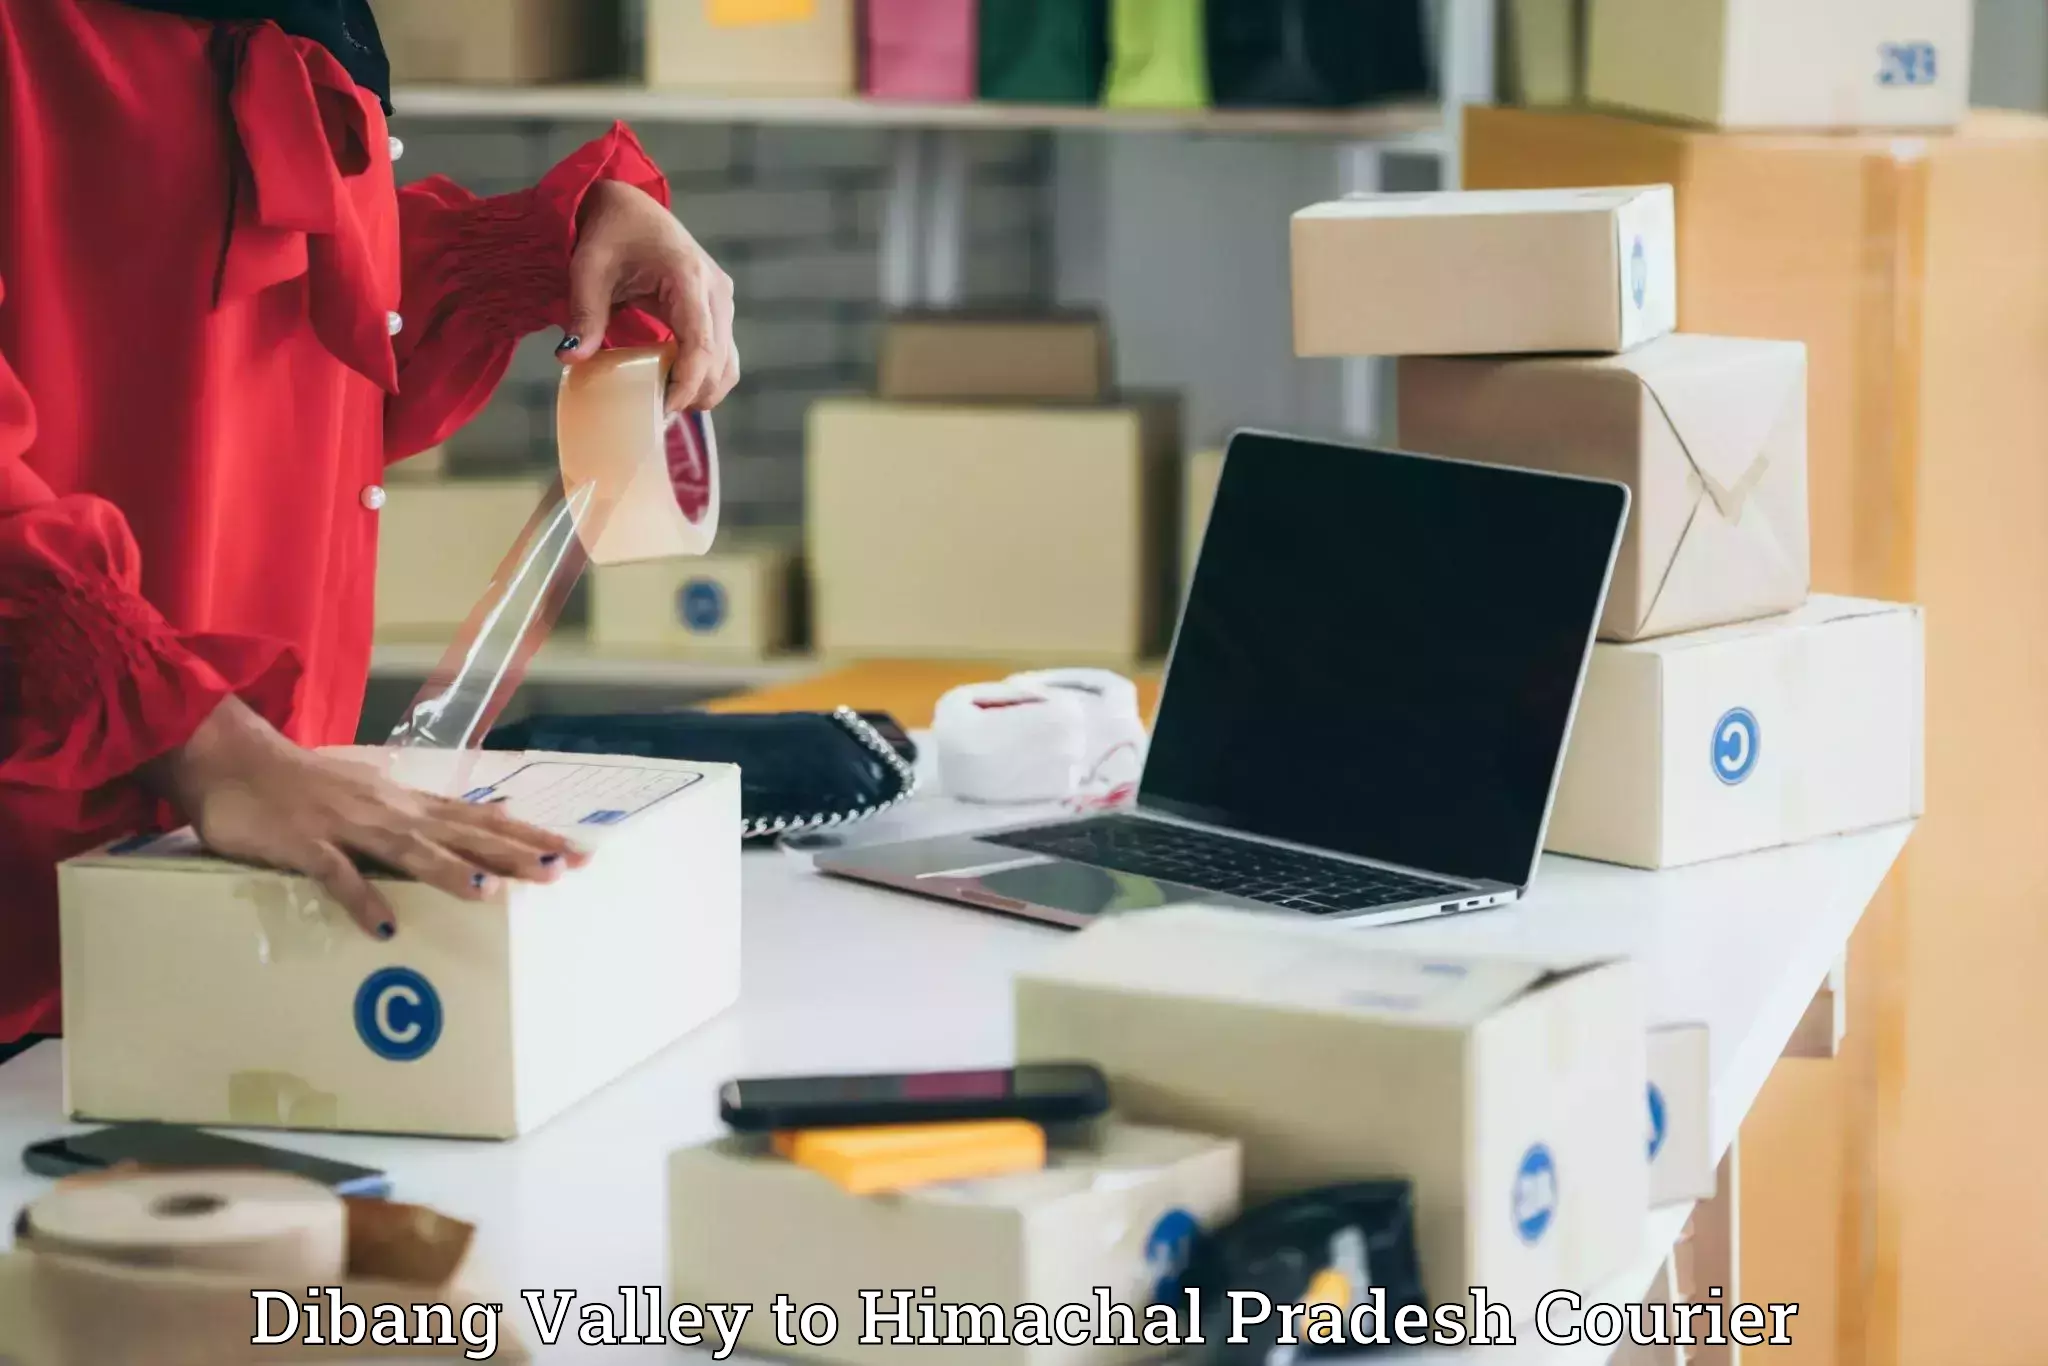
[{"x": 1011, "y": 744}]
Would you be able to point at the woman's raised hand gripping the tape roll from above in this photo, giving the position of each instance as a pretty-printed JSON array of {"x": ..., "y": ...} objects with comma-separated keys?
[{"x": 630, "y": 251}]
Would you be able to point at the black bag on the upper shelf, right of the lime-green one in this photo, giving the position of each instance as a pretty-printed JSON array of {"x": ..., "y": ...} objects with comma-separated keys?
[{"x": 1326, "y": 54}]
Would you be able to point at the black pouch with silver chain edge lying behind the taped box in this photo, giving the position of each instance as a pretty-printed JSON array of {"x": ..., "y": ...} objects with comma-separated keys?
[{"x": 798, "y": 769}]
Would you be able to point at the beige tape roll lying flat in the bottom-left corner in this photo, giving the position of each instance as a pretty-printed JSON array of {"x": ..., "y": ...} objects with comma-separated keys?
[{"x": 249, "y": 1224}]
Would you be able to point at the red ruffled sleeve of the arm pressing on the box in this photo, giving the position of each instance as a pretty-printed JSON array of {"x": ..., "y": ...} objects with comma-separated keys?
[{"x": 93, "y": 681}]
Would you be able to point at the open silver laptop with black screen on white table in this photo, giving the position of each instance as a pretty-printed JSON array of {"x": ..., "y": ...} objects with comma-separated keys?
[{"x": 1365, "y": 710}]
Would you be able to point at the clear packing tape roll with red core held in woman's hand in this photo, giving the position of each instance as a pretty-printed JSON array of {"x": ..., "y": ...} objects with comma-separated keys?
[{"x": 652, "y": 476}]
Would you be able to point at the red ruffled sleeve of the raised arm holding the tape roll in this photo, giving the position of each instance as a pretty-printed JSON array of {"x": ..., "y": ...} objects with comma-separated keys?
[{"x": 484, "y": 273}]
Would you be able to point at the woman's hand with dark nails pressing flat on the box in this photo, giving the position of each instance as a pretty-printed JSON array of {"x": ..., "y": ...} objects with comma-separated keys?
[{"x": 255, "y": 796}]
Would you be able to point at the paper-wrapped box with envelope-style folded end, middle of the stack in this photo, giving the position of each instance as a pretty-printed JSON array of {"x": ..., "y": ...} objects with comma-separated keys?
[{"x": 1709, "y": 433}]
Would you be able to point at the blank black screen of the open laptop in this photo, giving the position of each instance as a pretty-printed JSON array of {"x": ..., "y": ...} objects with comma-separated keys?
[{"x": 1381, "y": 654}]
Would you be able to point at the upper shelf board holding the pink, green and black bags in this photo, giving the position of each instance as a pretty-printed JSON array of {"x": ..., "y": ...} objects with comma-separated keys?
[{"x": 1414, "y": 122}]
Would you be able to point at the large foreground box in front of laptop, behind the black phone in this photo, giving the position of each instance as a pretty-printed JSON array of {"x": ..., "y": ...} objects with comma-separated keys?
[{"x": 1510, "y": 1095}]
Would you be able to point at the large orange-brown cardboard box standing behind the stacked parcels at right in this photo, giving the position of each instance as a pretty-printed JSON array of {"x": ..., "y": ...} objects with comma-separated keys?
[{"x": 1914, "y": 271}]
